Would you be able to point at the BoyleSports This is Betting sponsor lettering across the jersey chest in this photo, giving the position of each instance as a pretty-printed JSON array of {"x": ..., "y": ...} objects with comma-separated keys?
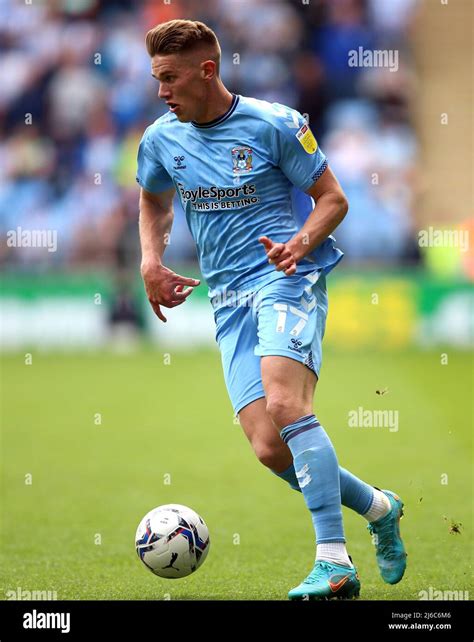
[{"x": 219, "y": 197}]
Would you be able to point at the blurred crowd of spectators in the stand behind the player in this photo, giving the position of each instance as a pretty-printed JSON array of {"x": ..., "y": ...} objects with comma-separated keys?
[{"x": 77, "y": 95}]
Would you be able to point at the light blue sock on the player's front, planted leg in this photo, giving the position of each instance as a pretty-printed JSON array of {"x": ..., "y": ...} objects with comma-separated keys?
[{"x": 317, "y": 471}]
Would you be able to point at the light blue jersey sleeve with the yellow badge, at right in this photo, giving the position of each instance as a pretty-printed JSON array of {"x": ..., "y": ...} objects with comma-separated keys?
[{"x": 296, "y": 150}]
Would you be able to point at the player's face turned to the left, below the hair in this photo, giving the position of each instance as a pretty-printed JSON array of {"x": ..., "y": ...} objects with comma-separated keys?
[{"x": 181, "y": 84}]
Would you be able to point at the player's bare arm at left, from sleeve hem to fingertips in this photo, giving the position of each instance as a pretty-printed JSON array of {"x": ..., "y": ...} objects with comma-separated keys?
[{"x": 163, "y": 286}]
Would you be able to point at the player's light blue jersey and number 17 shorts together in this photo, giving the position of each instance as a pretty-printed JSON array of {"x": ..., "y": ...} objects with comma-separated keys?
[{"x": 236, "y": 179}]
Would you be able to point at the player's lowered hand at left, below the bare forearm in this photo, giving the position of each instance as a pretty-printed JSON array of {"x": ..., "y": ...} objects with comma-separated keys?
[{"x": 164, "y": 287}]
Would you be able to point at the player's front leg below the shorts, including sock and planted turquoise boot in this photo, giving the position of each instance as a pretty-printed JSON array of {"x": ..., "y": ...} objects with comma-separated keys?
[{"x": 289, "y": 388}]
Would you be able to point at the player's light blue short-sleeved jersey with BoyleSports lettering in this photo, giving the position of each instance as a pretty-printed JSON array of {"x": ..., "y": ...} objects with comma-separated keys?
[{"x": 235, "y": 177}]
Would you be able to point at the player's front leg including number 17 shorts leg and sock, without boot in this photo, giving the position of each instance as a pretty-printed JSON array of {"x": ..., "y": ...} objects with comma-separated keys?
[{"x": 289, "y": 317}]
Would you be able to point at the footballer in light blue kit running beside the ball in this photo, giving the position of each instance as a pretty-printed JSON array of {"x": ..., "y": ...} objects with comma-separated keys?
[{"x": 235, "y": 163}]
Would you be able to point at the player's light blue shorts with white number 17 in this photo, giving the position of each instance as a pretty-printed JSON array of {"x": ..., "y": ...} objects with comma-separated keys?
[{"x": 285, "y": 317}]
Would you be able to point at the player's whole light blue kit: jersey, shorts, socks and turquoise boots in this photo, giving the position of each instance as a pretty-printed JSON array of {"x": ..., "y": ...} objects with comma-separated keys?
[{"x": 240, "y": 177}]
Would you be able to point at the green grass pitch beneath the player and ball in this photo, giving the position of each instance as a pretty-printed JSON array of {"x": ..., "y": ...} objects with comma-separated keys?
[{"x": 71, "y": 530}]
